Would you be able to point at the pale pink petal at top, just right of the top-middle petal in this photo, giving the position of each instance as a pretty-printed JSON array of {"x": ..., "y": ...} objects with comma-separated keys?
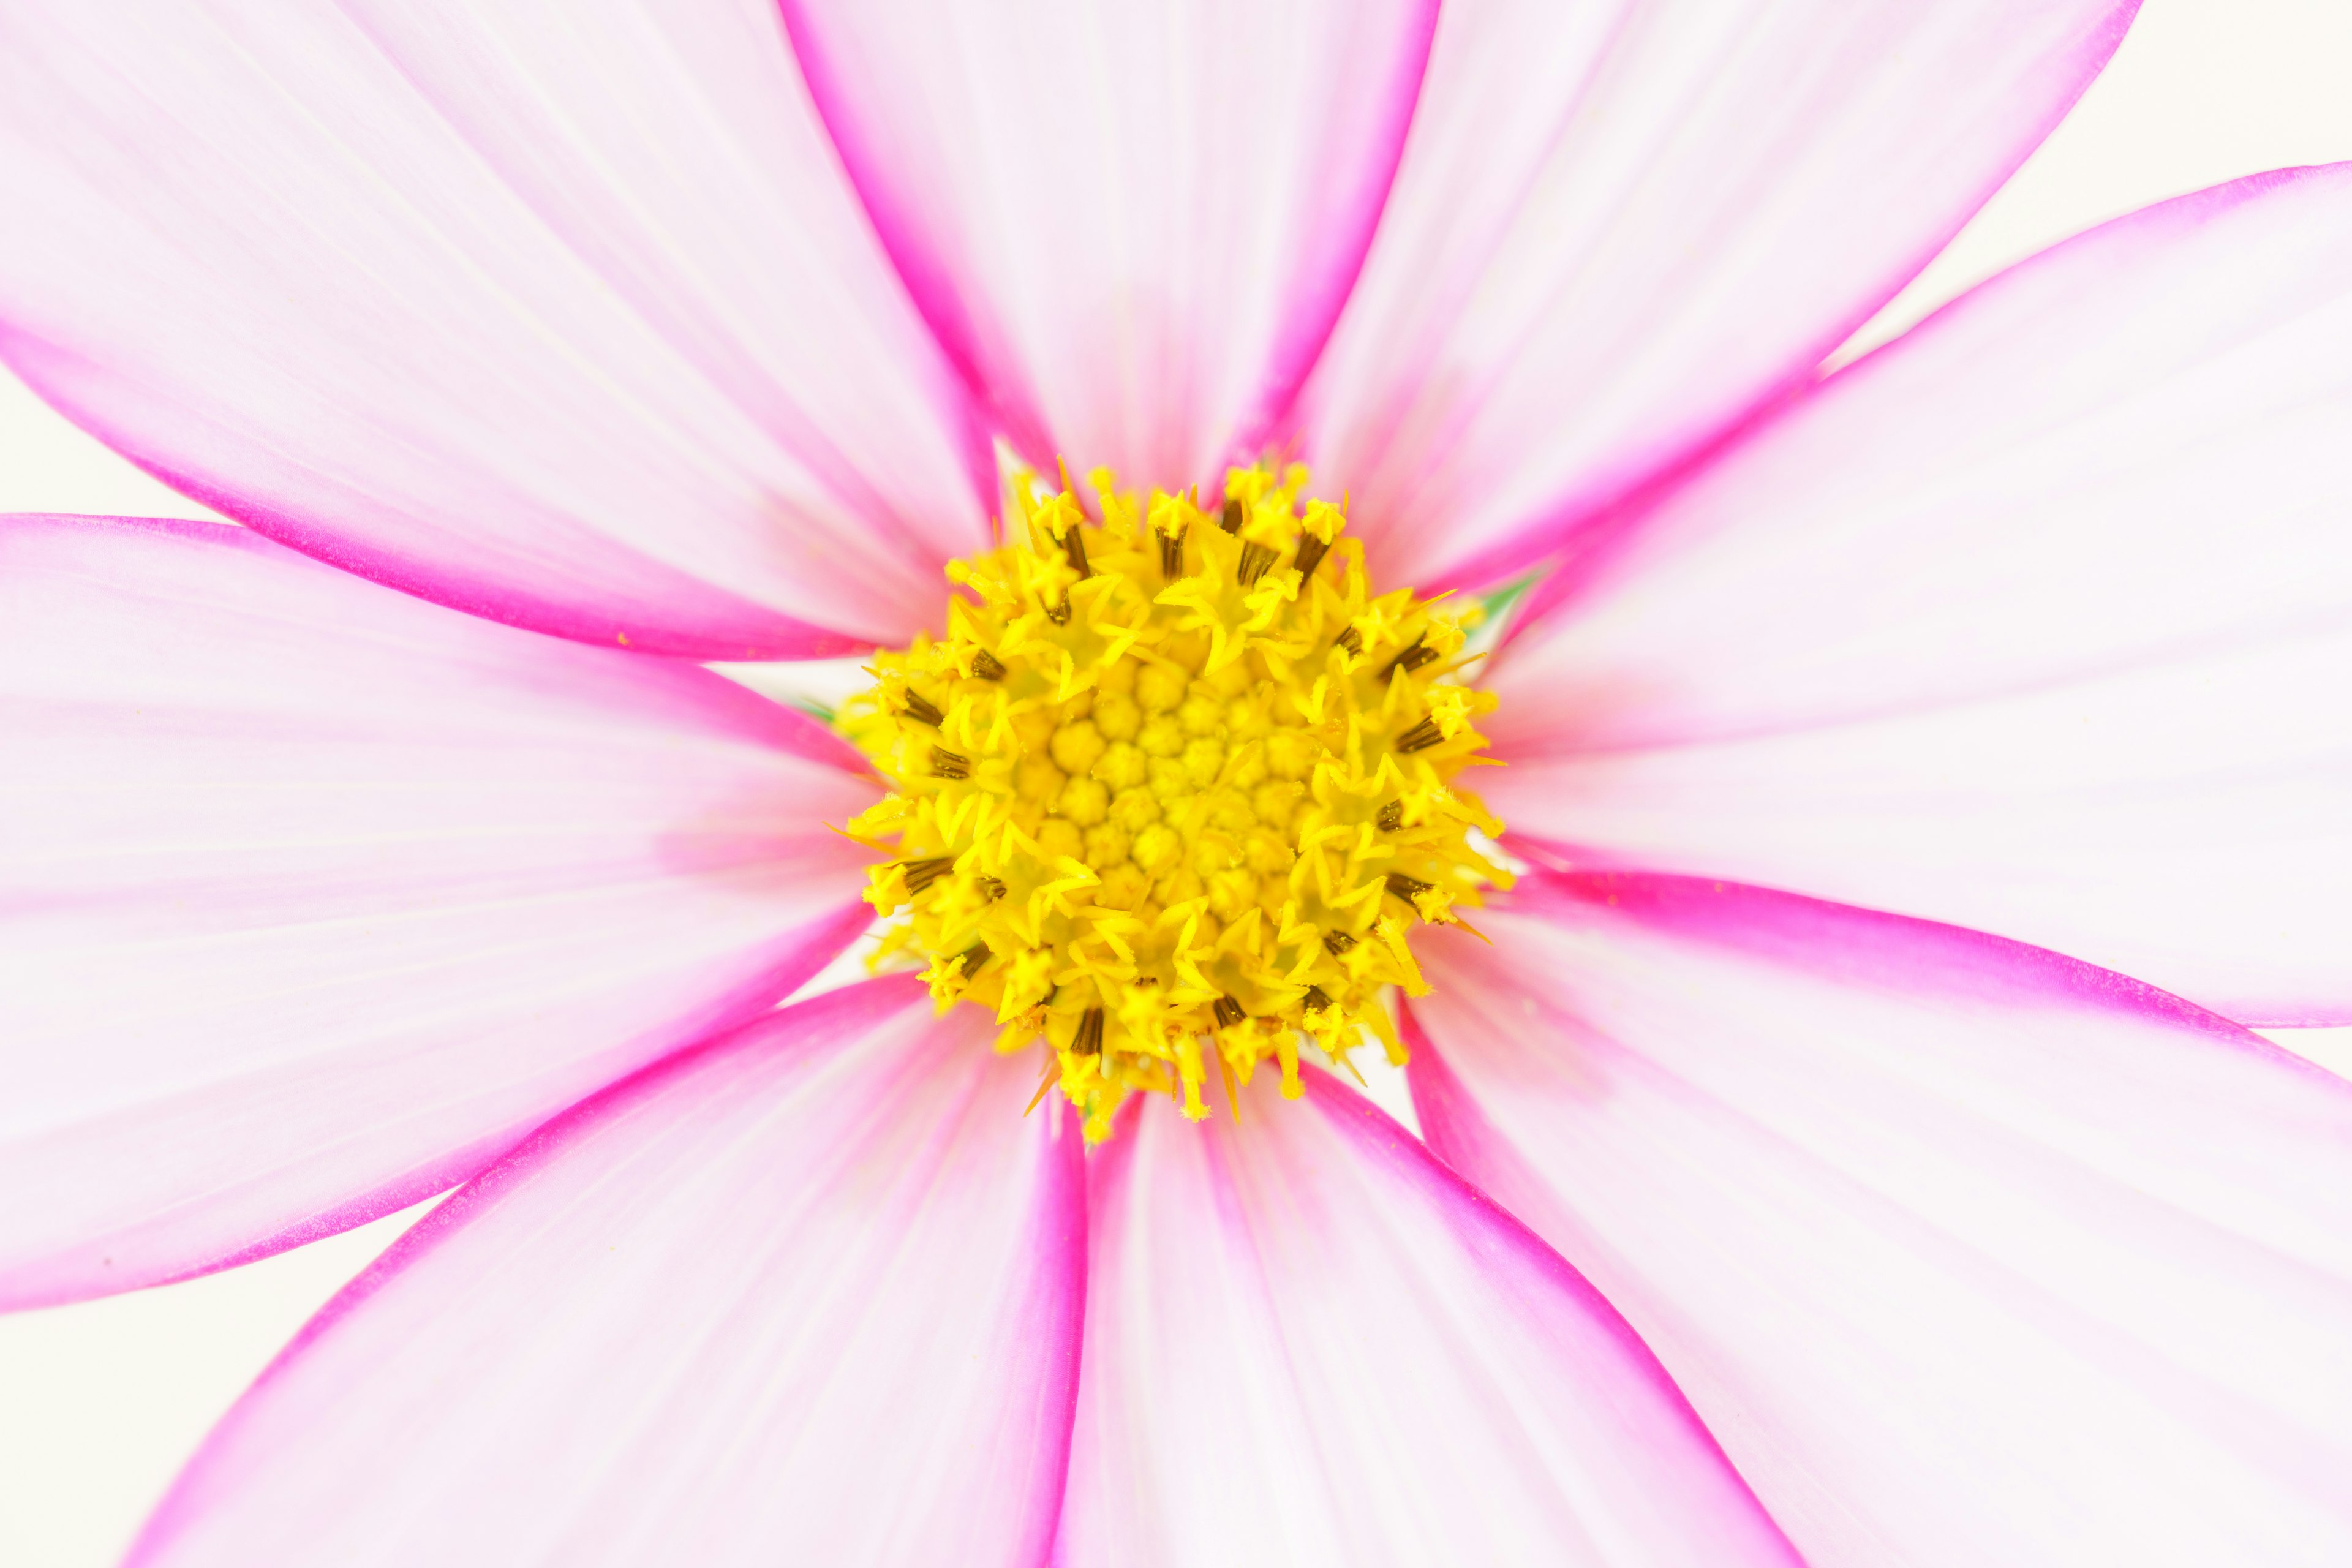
[{"x": 1626, "y": 227}]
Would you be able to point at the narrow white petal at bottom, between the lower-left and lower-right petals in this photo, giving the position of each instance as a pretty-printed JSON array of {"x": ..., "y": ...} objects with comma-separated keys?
[{"x": 1311, "y": 1343}]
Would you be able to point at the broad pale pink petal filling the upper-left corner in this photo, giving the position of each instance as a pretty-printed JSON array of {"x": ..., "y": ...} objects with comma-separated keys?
[{"x": 559, "y": 311}]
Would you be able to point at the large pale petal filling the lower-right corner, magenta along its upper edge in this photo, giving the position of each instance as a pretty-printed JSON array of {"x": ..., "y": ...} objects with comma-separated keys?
[{"x": 1967, "y": 1252}]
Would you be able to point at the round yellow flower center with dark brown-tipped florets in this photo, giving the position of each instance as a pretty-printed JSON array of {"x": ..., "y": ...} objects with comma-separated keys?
[{"x": 1175, "y": 789}]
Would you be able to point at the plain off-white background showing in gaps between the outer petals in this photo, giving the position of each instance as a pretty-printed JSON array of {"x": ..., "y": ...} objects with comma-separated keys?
[{"x": 100, "y": 1402}]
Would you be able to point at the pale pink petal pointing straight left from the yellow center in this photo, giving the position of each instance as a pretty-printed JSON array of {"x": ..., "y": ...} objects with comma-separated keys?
[{"x": 316, "y": 897}]
